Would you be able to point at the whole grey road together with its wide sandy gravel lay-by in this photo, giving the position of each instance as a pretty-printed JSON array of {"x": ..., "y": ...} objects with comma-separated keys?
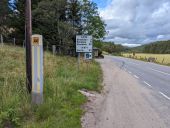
[{"x": 135, "y": 95}]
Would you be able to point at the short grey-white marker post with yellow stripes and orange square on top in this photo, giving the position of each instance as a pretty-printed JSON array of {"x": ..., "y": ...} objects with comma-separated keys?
[{"x": 37, "y": 69}]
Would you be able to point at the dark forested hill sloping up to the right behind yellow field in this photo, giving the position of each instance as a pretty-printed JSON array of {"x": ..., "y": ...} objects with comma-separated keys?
[{"x": 159, "y": 47}]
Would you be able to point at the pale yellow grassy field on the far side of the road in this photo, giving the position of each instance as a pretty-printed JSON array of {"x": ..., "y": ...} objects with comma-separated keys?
[{"x": 160, "y": 58}]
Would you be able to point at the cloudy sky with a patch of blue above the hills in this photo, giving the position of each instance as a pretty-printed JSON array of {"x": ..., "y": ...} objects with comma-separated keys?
[{"x": 135, "y": 22}]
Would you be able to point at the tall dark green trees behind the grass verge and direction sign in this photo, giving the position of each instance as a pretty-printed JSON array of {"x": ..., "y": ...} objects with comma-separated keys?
[{"x": 59, "y": 21}]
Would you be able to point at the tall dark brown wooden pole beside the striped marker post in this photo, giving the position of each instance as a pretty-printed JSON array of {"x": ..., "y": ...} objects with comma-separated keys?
[{"x": 28, "y": 23}]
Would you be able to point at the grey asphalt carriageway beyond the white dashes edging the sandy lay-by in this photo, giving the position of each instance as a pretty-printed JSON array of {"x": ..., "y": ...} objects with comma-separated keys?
[{"x": 150, "y": 74}]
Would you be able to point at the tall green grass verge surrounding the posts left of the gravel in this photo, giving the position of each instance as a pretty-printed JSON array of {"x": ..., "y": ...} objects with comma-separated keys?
[{"x": 62, "y": 101}]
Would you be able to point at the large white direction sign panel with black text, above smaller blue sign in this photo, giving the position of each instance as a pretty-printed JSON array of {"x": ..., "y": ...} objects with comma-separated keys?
[{"x": 84, "y": 43}]
